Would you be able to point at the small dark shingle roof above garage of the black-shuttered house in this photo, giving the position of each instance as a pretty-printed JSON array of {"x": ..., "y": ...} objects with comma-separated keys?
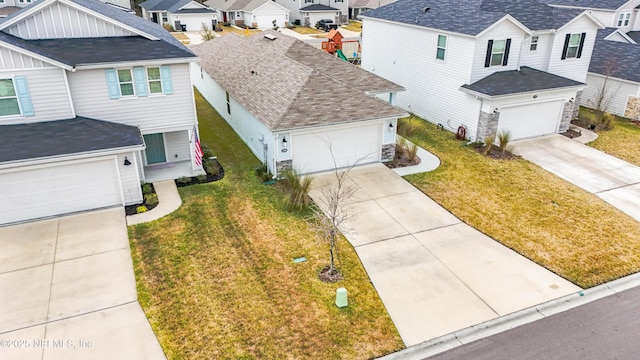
[{"x": 516, "y": 82}]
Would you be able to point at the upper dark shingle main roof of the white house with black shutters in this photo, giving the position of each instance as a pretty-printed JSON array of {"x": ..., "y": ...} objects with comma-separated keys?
[{"x": 472, "y": 16}]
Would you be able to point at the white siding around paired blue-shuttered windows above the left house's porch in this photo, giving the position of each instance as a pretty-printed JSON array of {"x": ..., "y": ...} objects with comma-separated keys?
[{"x": 151, "y": 113}]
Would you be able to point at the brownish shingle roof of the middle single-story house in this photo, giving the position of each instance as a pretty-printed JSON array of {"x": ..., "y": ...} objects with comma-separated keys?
[{"x": 287, "y": 84}]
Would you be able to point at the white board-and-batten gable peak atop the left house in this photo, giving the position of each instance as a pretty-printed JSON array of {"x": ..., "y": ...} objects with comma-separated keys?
[{"x": 62, "y": 21}]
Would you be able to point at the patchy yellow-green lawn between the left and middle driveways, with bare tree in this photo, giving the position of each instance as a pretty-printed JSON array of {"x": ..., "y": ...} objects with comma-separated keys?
[{"x": 217, "y": 281}]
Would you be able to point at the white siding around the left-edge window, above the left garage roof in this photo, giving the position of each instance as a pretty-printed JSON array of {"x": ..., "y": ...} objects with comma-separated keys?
[{"x": 48, "y": 93}]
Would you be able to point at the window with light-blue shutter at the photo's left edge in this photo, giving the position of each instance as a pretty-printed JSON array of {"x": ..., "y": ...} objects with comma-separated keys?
[{"x": 15, "y": 98}]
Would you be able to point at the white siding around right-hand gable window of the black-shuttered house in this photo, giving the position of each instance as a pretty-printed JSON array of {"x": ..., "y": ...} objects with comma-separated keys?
[{"x": 575, "y": 69}]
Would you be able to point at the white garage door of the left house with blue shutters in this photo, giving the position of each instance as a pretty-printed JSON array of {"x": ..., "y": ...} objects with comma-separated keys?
[{"x": 40, "y": 192}]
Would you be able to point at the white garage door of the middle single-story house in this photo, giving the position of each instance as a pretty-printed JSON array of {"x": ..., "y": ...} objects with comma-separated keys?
[{"x": 311, "y": 152}]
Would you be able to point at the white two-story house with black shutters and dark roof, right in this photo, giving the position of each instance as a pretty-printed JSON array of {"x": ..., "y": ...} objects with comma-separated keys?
[{"x": 482, "y": 67}]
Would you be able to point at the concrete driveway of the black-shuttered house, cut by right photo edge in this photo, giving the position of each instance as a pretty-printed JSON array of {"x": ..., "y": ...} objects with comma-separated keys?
[{"x": 613, "y": 180}]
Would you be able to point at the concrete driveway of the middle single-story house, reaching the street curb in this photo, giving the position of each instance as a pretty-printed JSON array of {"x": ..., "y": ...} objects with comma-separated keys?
[{"x": 434, "y": 274}]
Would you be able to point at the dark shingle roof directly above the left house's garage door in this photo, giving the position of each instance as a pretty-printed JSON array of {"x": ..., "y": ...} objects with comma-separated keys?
[{"x": 64, "y": 137}]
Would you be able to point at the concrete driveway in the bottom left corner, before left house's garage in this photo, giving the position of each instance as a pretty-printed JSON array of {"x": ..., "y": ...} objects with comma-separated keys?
[{"x": 68, "y": 291}]
